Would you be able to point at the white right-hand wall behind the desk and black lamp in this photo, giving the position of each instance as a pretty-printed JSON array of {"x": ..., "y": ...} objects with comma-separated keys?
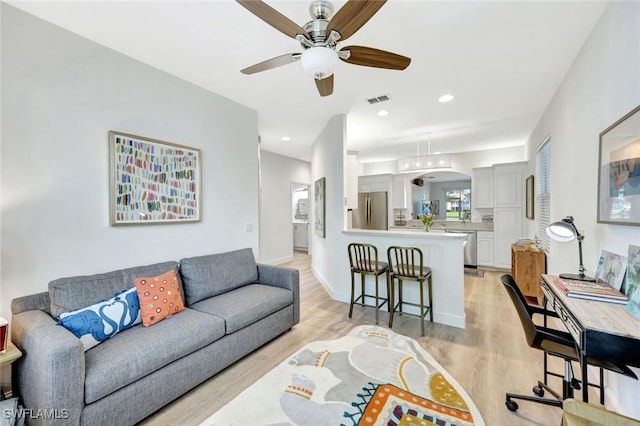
[{"x": 602, "y": 85}]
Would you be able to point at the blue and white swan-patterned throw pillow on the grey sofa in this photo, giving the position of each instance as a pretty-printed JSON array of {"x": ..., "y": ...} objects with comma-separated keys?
[{"x": 96, "y": 323}]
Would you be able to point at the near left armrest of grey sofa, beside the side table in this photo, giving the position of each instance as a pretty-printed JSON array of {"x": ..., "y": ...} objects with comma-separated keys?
[{"x": 50, "y": 374}]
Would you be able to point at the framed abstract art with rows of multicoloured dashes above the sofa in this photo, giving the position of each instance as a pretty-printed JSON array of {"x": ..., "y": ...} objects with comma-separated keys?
[{"x": 152, "y": 181}]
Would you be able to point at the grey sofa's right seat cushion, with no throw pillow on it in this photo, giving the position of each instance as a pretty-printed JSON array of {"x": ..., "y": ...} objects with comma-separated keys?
[{"x": 246, "y": 305}]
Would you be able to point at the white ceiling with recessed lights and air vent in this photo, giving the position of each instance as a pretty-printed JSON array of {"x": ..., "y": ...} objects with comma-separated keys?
[{"x": 501, "y": 60}]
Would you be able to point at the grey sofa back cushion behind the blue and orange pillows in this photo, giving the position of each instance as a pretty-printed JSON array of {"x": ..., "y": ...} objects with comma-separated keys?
[{"x": 73, "y": 293}]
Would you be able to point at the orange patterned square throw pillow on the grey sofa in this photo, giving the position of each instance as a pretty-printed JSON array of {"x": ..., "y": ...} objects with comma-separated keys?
[{"x": 159, "y": 297}]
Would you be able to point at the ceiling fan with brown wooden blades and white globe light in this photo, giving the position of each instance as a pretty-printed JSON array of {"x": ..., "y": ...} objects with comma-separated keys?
[{"x": 320, "y": 36}]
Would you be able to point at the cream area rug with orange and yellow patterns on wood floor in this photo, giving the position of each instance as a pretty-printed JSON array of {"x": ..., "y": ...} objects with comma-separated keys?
[{"x": 372, "y": 376}]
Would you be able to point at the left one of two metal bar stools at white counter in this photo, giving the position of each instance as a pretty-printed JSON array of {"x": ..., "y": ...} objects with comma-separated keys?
[{"x": 363, "y": 259}]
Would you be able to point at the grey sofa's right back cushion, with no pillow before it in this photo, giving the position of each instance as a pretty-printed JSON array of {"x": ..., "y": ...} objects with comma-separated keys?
[{"x": 208, "y": 276}]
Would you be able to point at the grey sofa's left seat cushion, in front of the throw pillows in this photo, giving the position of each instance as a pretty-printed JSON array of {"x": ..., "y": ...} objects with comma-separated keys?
[{"x": 139, "y": 351}]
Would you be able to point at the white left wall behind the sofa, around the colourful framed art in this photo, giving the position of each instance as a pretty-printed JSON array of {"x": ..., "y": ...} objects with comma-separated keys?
[{"x": 61, "y": 94}]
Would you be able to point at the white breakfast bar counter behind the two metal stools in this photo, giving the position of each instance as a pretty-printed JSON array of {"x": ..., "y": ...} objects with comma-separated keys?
[{"x": 443, "y": 253}]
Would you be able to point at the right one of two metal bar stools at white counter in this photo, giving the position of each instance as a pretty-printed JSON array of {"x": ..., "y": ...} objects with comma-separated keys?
[{"x": 406, "y": 264}]
